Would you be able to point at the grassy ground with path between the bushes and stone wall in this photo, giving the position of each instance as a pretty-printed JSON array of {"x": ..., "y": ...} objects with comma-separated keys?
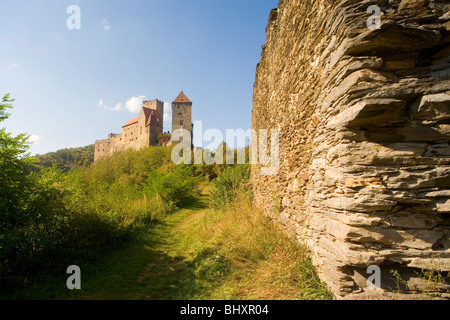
[{"x": 195, "y": 253}]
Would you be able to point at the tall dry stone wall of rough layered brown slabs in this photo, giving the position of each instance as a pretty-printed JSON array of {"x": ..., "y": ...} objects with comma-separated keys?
[{"x": 364, "y": 120}]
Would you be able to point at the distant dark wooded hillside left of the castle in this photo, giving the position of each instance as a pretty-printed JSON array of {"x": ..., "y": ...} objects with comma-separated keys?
[{"x": 68, "y": 159}]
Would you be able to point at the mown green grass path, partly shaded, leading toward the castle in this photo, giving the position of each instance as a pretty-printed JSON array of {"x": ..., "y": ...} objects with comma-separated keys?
[{"x": 157, "y": 265}]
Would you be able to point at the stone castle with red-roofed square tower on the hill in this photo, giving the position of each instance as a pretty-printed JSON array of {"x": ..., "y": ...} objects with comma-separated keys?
[{"x": 147, "y": 129}]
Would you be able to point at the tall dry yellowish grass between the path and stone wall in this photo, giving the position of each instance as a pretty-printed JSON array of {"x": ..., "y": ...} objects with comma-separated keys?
[{"x": 242, "y": 254}]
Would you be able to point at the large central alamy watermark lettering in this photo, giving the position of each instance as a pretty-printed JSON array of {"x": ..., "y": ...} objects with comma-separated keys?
[{"x": 263, "y": 151}]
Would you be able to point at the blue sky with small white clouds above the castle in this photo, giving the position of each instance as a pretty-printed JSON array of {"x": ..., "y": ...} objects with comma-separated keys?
[{"x": 73, "y": 87}]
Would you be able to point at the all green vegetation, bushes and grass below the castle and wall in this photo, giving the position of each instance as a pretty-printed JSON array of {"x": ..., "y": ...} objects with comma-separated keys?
[{"x": 140, "y": 227}]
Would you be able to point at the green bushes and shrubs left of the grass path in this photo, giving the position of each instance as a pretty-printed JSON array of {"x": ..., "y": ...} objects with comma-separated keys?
[{"x": 51, "y": 219}]
